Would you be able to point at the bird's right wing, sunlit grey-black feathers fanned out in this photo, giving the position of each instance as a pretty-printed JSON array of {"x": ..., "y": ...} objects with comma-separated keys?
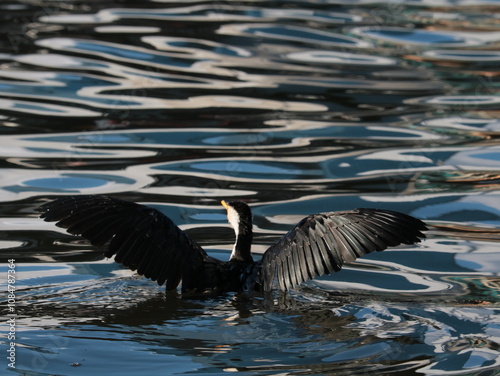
[{"x": 322, "y": 243}]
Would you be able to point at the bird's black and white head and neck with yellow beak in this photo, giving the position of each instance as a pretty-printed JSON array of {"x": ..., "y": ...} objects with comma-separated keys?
[{"x": 239, "y": 216}]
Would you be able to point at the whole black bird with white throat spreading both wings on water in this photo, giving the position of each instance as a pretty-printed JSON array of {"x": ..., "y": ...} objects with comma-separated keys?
[{"x": 145, "y": 240}]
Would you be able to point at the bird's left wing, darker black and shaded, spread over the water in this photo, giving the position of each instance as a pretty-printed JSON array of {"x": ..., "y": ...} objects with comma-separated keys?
[{"x": 140, "y": 237}]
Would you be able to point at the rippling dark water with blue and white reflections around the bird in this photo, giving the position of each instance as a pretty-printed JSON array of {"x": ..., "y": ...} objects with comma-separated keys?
[{"x": 296, "y": 107}]
